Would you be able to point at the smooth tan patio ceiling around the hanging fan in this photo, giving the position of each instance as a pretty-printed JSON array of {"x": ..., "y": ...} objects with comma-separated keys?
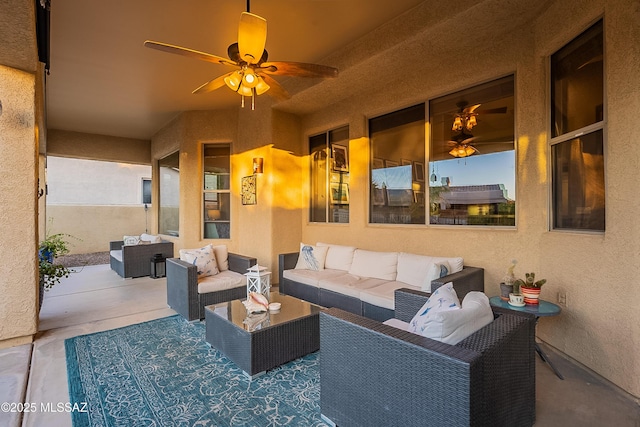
[{"x": 103, "y": 81}]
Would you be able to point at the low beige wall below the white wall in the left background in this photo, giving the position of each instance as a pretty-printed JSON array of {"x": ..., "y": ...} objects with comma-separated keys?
[{"x": 93, "y": 227}]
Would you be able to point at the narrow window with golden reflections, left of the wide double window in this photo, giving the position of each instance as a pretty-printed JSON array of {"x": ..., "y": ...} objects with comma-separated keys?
[{"x": 329, "y": 153}]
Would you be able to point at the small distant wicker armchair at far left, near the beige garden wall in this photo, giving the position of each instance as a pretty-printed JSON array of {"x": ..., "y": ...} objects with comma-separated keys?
[{"x": 135, "y": 260}]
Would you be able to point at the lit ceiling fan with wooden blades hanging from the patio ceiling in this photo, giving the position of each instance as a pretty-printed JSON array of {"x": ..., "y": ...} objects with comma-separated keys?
[{"x": 252, "y": 74}]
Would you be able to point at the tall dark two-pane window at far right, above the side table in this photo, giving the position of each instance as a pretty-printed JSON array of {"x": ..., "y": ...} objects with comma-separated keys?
[{"x": 577, "y": 129}]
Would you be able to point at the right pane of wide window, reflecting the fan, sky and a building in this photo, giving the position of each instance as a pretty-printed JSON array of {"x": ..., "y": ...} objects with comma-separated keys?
[{"x": 472, "y": 175}]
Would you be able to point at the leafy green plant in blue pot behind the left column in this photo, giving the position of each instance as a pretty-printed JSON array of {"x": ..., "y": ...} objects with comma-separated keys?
[{"x": 52, "y": 247}]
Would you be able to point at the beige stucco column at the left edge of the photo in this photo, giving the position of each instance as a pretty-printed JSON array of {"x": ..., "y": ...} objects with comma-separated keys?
[{"x": 18, "y": 207}]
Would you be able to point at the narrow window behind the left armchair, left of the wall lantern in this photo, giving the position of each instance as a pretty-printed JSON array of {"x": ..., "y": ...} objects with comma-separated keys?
[{"x": 216, "y": 191}]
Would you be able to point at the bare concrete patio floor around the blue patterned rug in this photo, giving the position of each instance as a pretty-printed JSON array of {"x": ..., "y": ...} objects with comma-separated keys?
[{"x": 97, "y": 299}]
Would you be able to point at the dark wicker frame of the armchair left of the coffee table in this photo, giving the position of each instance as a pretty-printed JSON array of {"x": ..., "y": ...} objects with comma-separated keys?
[{"x": 182, "y": 286}]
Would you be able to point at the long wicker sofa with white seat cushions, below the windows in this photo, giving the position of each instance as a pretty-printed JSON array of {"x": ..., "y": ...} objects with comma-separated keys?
[{"x": 371, "y": 298}]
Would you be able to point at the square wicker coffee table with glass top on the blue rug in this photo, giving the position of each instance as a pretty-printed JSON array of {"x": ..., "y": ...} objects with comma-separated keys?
[{"x": 263, "y": 341}]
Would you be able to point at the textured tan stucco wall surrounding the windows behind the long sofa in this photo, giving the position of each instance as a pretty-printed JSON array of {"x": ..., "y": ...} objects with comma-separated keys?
[{"x": 599, "y": 324}]
